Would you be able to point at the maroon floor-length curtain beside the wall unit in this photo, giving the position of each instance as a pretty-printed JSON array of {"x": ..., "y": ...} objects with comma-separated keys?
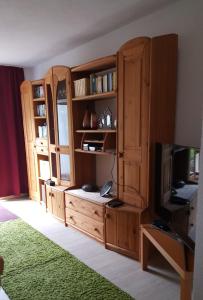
[{"x": 13, "y": 174}]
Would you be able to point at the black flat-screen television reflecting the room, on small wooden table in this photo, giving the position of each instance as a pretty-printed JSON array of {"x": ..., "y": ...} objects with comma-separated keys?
[{"x": 176, "y": 187}]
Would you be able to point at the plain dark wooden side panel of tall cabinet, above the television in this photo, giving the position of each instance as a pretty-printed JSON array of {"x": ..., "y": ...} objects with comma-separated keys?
[{"x": 164, "y": 51}]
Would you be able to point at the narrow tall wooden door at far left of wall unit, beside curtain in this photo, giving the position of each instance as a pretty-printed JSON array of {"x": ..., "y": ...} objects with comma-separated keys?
[{"x": 29, "y": 134}]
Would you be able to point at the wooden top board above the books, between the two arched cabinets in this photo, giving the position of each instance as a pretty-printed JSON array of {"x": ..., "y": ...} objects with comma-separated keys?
[{"x": 97, "y": 64}]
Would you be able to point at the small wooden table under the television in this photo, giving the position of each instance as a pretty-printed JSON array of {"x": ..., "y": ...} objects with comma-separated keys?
[{"x": 180, "y": 258}]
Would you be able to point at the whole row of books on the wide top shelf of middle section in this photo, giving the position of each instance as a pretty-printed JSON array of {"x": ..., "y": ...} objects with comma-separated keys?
[{"x": 97, "y": 83}]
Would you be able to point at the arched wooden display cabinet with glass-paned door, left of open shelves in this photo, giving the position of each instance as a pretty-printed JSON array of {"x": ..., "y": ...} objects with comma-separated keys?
[{"x": 59, "y": 125}]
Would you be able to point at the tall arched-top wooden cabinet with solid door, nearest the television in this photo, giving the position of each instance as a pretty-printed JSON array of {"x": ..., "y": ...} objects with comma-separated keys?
[{"x": 146, "y": 100}]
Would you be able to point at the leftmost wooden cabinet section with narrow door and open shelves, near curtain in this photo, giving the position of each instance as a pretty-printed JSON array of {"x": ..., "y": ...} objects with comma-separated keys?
[{"x": 35, "y": 129}]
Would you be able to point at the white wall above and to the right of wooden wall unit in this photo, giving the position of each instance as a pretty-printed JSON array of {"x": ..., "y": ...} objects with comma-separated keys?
[{"x": 183, "y": 17}]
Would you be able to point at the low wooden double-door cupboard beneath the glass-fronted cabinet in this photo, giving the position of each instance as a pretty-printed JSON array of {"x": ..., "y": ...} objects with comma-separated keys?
[{"x": 55, "y": 201}]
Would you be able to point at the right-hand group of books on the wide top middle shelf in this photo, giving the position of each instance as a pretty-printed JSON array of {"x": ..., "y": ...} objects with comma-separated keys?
[{"x": 103, "y": 82}]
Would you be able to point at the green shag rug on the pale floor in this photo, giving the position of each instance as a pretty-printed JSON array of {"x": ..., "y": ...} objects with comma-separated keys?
[{"x": 38, "y": 269}]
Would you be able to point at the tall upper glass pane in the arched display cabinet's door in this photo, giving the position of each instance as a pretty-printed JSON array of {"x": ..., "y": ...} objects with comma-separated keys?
[{"x": 62, "y": 113}]
